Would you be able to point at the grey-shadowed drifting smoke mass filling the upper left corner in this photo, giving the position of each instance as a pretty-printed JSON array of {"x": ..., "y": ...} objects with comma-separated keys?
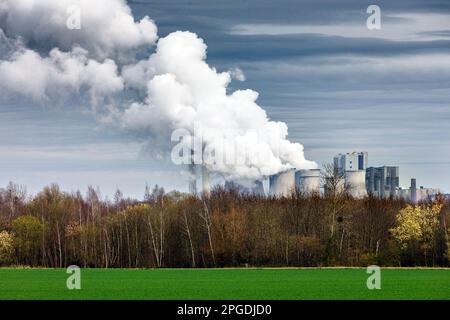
[{"x": 45, "y": 60}]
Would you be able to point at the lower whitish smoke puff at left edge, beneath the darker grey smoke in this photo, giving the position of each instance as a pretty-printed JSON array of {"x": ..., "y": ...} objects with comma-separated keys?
[{"x": 58, "y": 73}]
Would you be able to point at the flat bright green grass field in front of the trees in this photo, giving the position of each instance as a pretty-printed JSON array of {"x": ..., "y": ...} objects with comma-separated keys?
[{"x": 185, "y": 284}]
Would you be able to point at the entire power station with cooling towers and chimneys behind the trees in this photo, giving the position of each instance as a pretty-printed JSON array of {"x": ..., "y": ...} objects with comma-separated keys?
[{"x": 350, "y": 172}]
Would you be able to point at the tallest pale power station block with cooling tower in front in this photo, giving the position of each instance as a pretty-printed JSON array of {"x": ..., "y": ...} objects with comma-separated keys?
[{"x": 352, "y": 166}]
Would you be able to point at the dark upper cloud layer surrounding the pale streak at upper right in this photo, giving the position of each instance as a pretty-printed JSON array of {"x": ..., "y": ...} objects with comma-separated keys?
[{"x": 212, "y": 20}]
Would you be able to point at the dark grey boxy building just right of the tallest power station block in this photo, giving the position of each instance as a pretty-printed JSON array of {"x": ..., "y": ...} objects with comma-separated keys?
[{"x": 383, "y": 181}]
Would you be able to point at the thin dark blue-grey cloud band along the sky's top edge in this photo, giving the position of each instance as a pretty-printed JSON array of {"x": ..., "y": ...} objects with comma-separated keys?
[{"x": 285, "y": 11}]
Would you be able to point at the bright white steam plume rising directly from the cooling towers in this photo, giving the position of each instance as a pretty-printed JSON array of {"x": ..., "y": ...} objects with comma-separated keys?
[{"x": 183, "y": 91}]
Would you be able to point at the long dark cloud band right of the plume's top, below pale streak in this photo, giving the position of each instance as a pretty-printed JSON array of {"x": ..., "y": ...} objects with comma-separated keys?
[{"x": 270, "y": 47}]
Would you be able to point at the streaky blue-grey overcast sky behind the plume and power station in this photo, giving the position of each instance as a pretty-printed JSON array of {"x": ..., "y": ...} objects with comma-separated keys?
[{"x": 339, "y": 87}]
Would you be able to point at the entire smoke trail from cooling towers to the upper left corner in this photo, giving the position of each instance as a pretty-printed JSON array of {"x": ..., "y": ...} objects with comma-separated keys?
[{"x": 171, "y": 88}]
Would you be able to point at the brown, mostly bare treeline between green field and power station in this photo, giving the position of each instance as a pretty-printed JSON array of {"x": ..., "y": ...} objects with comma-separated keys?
[{"x": 225, "y": 229}]
